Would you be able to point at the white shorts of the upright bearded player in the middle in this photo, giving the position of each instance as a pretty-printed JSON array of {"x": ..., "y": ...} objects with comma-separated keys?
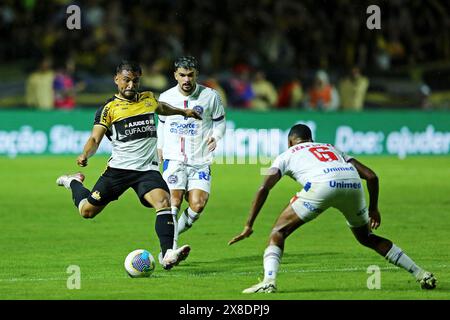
[{"x": 181, "y": 176}]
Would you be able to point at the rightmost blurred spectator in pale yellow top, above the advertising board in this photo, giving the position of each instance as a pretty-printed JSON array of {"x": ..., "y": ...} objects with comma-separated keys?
[{"x": 353, "y": 89}]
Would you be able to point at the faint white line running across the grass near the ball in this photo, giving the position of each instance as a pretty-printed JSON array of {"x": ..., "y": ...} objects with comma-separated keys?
[{"x": 213, "y": 274}]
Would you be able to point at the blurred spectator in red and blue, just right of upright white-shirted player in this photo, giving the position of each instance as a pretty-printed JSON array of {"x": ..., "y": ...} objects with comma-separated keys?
[{"x": 240, "y": 88}]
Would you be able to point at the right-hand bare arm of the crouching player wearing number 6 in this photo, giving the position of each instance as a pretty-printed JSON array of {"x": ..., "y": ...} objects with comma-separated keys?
[{"x": 373, "y": 188}]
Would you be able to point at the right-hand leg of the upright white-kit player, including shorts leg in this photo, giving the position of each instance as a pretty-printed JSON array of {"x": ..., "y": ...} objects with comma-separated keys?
[{"x": 198, "y": 190}]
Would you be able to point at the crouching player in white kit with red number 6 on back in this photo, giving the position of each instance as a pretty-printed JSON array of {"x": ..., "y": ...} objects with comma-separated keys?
[{"x": 330, "y": 178}]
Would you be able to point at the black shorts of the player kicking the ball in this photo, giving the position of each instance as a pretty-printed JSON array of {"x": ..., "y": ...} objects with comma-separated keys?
[{"x": 114, "y": 182}]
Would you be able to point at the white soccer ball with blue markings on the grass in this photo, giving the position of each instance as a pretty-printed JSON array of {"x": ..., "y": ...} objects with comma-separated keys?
[{"x": 139, "y": 263}]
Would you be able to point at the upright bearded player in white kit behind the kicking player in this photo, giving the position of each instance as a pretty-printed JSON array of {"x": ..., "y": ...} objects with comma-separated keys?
[{"x": 186, "y": 145}]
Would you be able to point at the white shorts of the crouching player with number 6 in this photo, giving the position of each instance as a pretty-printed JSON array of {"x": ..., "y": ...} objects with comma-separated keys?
[{"x": 345, "y": 195}]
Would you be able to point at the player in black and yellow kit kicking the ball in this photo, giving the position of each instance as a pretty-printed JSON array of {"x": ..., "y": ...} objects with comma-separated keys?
[{"x": 128, "y": 120}]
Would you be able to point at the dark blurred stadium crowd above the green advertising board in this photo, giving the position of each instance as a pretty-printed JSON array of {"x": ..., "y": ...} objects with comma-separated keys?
[{"x": 262, "y": 55}]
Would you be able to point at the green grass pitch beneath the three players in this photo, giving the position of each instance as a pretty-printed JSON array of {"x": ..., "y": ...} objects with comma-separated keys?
[{"x": 42, "y": 235}]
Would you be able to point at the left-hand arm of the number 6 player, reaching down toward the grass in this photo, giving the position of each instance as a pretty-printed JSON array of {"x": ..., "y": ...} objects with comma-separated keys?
[{"x": 271, "y": 179}]
